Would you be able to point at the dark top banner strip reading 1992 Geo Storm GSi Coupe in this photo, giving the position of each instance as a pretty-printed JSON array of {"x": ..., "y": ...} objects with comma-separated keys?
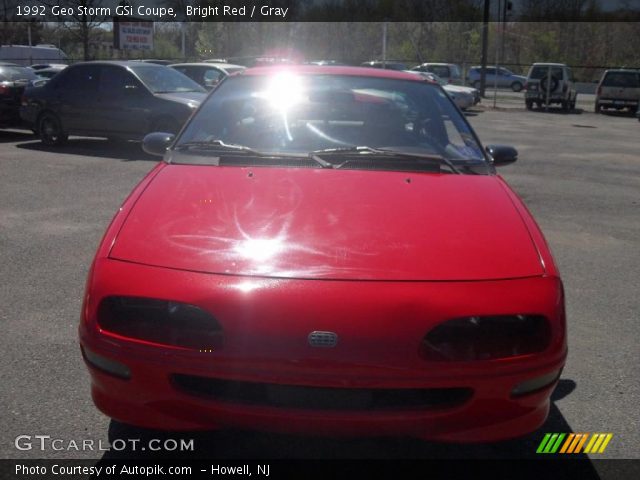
[{"x": 321, "y": 10}]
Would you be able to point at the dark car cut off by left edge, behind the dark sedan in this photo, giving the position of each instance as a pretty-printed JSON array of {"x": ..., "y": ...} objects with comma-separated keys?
[{"x": 13, "y": 81}]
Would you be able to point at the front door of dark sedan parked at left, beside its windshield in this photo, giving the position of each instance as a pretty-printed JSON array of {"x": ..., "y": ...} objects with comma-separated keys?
[{"x": 123, "y": 103}]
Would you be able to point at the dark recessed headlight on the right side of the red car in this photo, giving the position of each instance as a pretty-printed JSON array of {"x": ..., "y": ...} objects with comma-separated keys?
[{"x": 486, "y": 338}]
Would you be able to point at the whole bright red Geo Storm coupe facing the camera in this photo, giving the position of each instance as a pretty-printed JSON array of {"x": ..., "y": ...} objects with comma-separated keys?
[{"x": 326, "y": 250}]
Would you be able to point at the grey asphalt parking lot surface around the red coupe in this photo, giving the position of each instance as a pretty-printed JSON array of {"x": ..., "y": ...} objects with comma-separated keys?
[{"x": 578, "y": 173}]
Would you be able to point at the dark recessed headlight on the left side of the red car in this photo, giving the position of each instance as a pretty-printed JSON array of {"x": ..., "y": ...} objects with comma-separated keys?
[{"x": 160, "y": 322}]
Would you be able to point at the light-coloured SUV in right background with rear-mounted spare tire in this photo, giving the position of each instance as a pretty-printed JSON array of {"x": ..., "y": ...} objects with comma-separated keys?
[{"x": 550, "y": 83}]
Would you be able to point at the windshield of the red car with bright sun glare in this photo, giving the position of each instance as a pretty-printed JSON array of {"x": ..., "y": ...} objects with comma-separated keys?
[{"x": 288, "y": 114}]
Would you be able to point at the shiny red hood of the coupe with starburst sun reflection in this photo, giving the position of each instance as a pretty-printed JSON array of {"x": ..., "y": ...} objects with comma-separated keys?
[{"x": 328, "y": 224}]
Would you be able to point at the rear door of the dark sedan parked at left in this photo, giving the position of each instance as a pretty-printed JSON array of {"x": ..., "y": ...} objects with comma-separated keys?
[{"x": 73, "y": 97}]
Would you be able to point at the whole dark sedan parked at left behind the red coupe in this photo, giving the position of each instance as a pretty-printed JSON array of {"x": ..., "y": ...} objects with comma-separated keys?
[{"x": 120, "y": 100}]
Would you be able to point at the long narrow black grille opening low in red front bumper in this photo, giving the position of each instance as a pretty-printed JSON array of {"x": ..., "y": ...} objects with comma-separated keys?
[{"x": 319, "y": 398}]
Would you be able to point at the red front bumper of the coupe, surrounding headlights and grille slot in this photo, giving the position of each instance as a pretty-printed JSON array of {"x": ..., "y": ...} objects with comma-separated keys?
[{"x": 380, "y": 324}]
